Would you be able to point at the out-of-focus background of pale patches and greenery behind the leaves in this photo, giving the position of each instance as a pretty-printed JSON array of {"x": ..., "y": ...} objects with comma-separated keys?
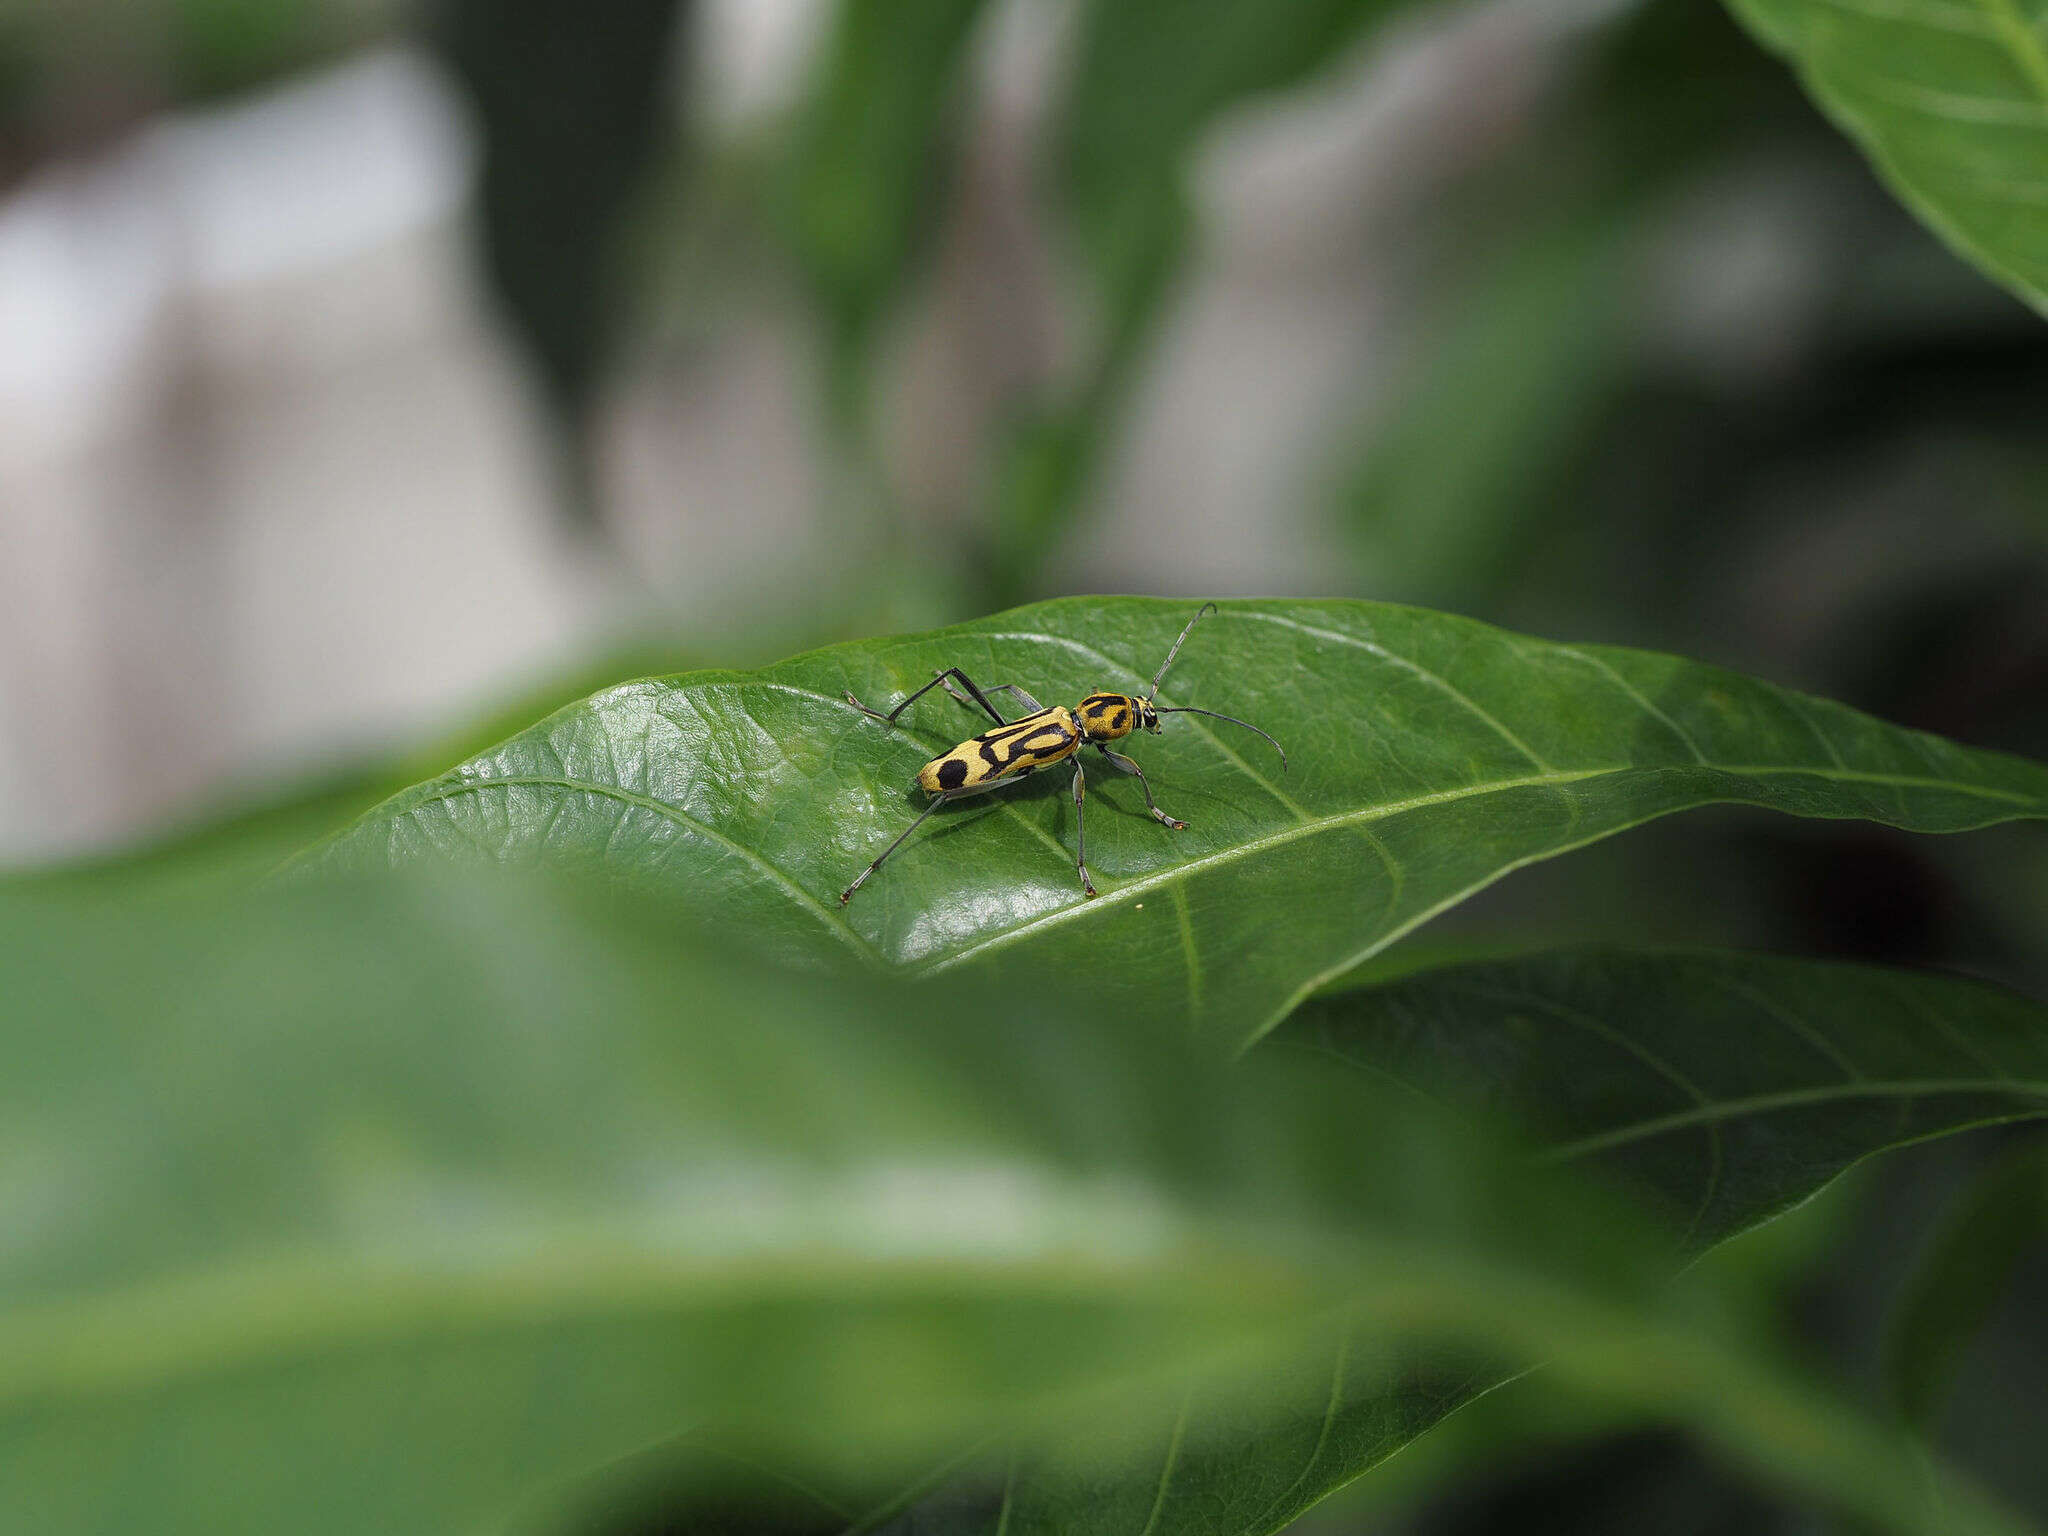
[{"x": 370, "y": 368}]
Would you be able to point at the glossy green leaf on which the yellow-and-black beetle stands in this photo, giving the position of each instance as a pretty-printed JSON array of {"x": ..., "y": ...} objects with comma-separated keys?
[{"x": 1431, "y": 757}]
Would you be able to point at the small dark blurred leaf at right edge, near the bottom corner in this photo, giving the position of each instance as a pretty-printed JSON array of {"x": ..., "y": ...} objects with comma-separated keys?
[{"x": 1963, "y": 1279}]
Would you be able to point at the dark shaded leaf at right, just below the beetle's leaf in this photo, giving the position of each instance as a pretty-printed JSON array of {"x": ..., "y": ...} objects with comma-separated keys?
[{"x": 1725, "y": 1086}]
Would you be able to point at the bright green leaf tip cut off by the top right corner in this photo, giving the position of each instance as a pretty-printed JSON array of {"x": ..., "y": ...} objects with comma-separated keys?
[{"x": 1951, "y": 103}]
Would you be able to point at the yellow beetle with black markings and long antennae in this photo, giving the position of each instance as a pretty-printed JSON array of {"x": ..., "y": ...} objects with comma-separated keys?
[{"x": 1037, "y": 740}]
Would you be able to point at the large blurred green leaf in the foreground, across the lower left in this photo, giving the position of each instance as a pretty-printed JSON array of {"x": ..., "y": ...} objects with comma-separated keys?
[{"x": 384, "y": 1207}]
